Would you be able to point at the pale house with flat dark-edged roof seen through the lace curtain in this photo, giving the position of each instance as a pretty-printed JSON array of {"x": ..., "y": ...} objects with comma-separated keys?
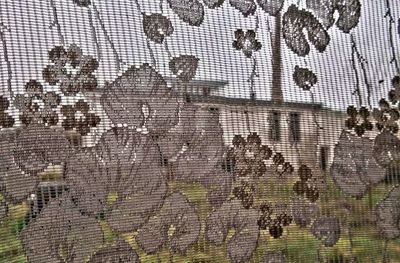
[{"x": 303, "y": 132}]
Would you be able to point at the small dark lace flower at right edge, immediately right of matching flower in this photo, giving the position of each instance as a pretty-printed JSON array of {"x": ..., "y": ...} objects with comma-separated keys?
[{"x": 386, "y": 117}]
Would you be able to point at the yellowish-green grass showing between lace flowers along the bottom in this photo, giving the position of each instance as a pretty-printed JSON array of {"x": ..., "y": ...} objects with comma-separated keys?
[{"x": 299, "y": 245}]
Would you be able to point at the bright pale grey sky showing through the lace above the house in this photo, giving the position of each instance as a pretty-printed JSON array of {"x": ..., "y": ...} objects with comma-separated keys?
[{"x": 30, "y": 37}]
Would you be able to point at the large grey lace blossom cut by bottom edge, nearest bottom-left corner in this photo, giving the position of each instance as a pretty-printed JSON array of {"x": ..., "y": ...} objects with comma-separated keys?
[{"x": 61, "y": 234}]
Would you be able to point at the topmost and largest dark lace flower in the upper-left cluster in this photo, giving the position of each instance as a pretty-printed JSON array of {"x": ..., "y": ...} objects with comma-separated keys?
[{"x": 72, "y": 70}]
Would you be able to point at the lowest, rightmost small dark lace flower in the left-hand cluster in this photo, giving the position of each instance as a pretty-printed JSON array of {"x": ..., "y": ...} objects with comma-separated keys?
[{"x": 78, "y": 117}]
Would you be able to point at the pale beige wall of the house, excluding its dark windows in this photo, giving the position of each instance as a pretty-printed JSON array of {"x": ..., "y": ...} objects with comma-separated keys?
[{"x": 318, "y": 128}]
